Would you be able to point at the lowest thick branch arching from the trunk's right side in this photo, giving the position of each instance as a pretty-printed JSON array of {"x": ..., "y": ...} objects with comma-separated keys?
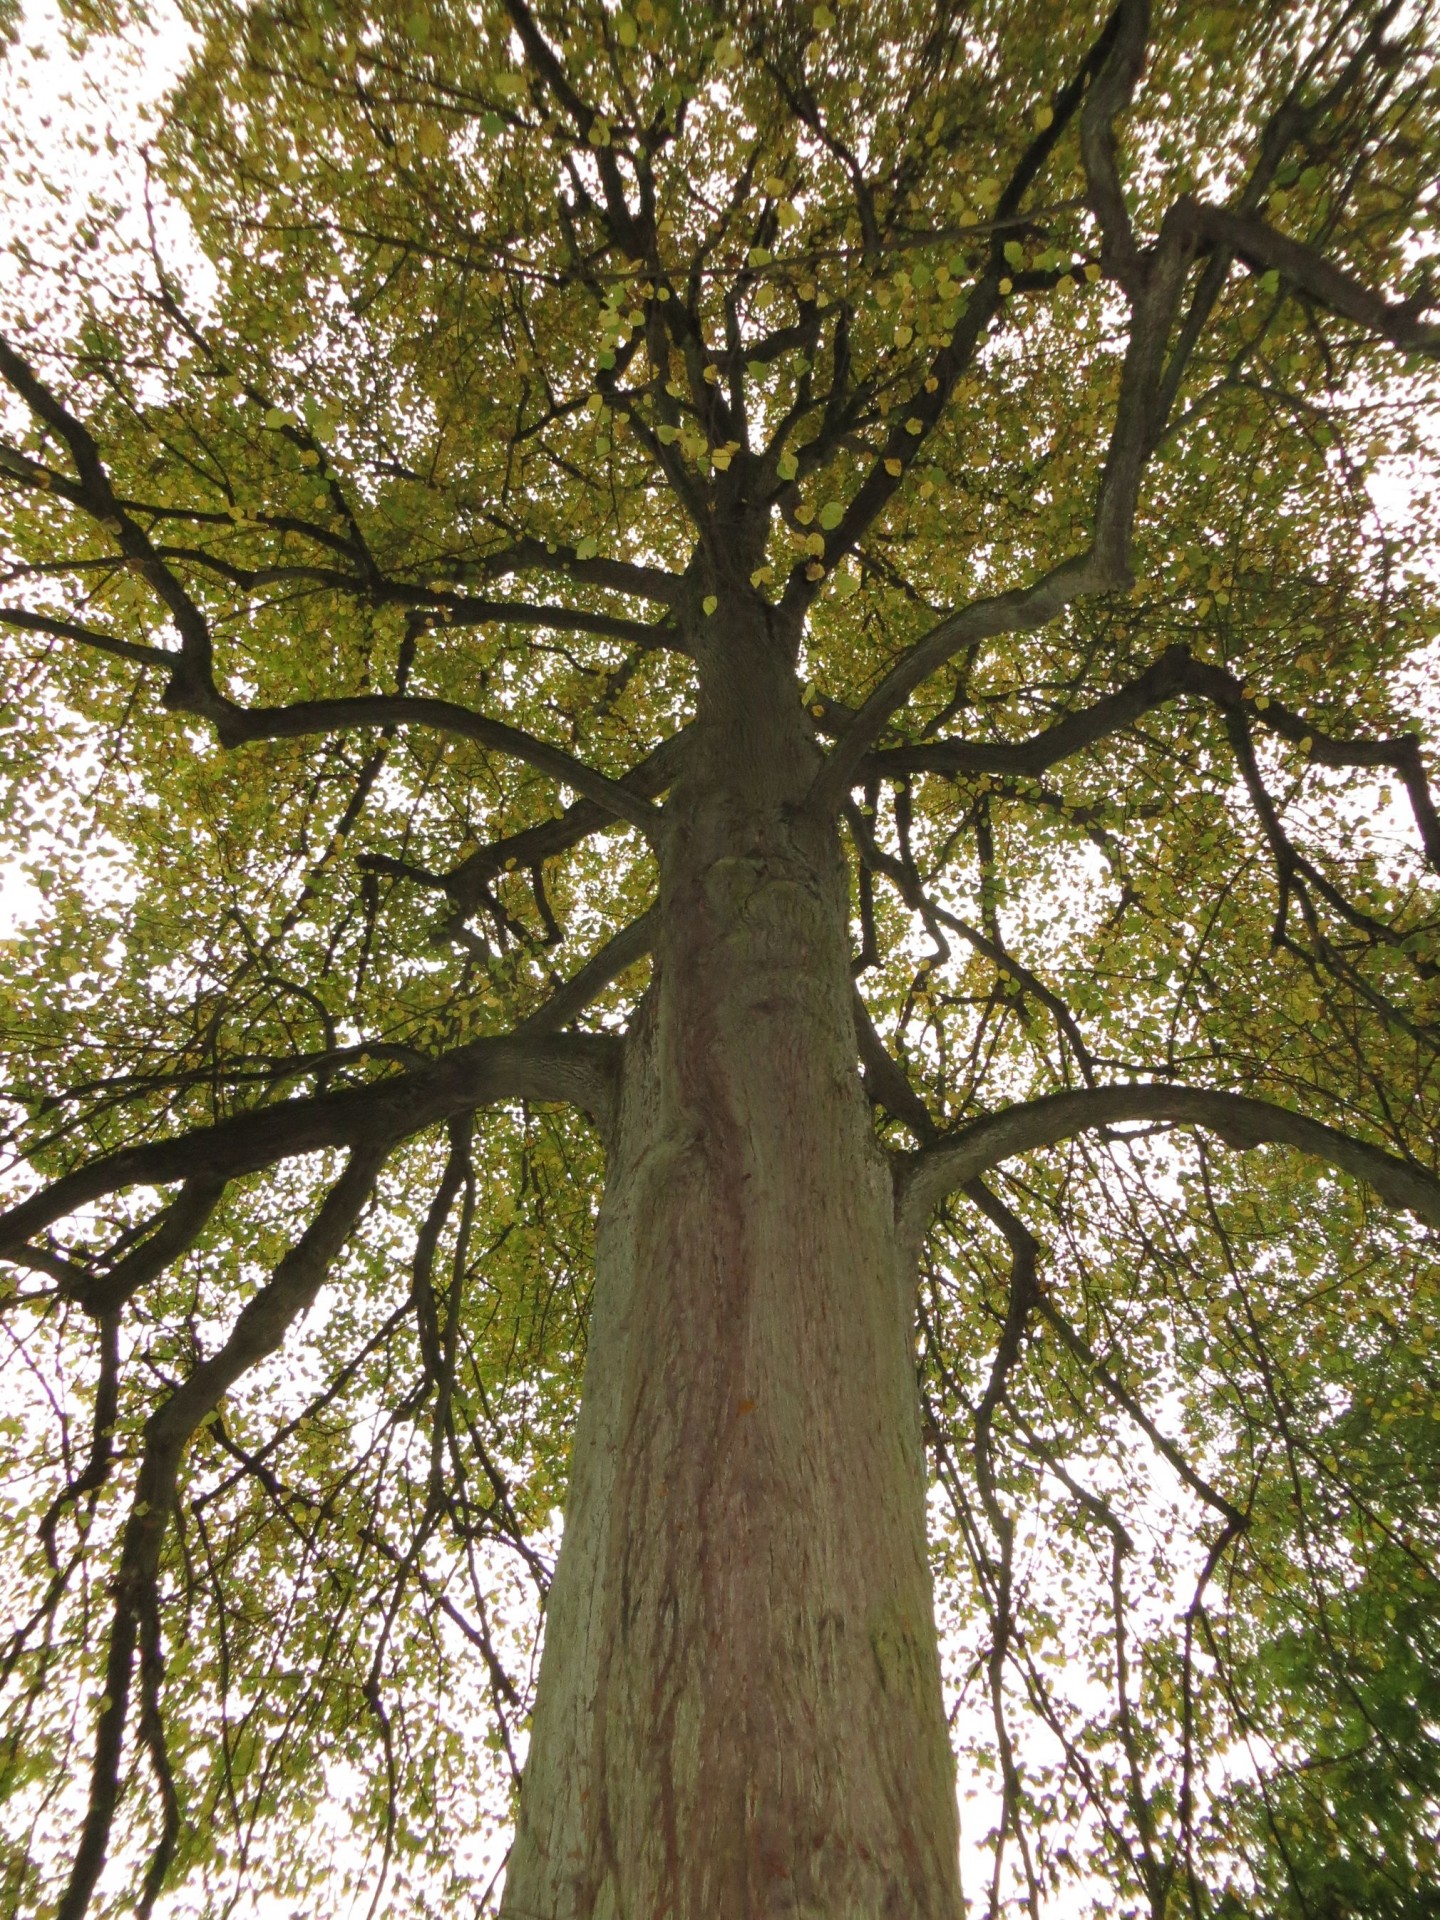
[{"x": 924, "y": 1178}]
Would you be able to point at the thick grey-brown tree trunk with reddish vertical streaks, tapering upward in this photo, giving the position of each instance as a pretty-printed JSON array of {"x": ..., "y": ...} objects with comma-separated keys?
[{"x": 740, "y": 1700}]
